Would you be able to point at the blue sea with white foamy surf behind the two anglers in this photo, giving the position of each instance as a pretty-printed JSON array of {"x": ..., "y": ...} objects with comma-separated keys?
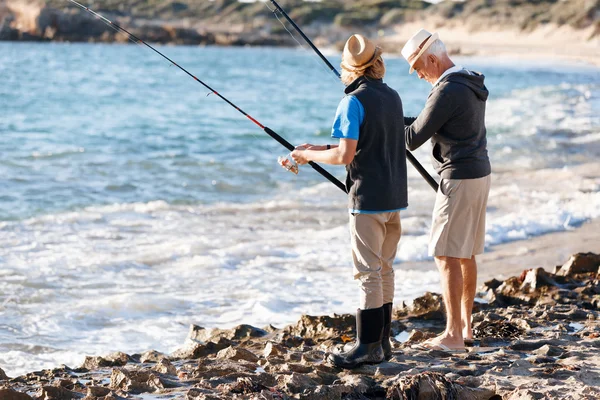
[{"x": 132, "y": 204}]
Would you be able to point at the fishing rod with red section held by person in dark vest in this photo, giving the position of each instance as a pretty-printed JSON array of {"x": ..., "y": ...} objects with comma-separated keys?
[{"x": 266, "y": 129}]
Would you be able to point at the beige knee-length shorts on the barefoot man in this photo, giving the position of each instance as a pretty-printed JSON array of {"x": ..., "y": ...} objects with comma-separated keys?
[{"x": 458, "y": 224}]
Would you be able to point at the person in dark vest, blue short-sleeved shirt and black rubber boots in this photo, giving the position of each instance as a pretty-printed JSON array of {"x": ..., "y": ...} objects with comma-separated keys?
[{"x": 369, "y": 124}]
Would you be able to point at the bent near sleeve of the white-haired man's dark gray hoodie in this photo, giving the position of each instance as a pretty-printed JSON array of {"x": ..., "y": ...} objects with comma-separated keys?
[{"x": 437, "y": 112}]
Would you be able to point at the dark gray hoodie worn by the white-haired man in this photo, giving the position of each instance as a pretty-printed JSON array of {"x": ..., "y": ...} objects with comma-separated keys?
[{"x": 454, "y": 119}]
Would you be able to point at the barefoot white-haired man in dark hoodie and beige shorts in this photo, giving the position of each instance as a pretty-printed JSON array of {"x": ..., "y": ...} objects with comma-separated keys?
[{"x": 454, "y": 120}]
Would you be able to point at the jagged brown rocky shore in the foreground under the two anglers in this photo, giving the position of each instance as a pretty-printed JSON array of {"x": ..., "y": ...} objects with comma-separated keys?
[{"x": 537, "y": 337}]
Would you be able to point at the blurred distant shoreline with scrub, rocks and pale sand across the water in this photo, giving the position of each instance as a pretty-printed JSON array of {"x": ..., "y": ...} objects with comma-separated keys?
[{"x": 475, "y": 27}]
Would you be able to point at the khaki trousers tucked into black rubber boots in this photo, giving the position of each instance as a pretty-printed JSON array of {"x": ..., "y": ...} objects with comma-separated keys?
[{"x": 375, "y": 240}]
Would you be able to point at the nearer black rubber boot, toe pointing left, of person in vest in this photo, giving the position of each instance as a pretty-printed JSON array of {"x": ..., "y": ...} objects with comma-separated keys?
[{"x": 367, "y": 349}]
